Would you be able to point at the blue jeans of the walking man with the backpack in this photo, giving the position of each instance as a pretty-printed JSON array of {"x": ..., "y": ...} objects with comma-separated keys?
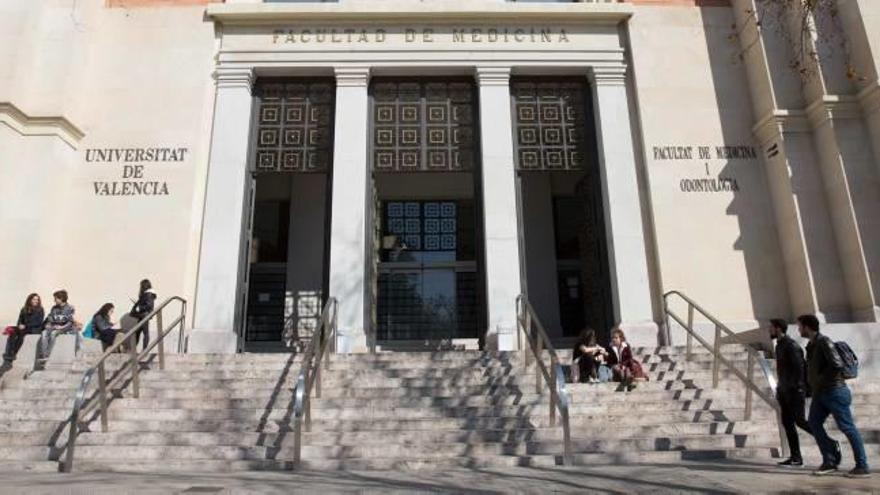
[{"x": 836, "y": 402}]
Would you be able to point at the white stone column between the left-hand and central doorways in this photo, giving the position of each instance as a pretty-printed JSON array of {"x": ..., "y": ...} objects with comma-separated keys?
[{"x": 348, "y": 225}]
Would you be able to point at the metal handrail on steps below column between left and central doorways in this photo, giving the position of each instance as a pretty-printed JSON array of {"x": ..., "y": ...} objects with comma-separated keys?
[{"x": 310, "y": 374}]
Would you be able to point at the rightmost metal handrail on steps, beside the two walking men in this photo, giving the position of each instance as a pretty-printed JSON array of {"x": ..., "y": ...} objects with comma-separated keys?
[{"x": 754, "y": 357}]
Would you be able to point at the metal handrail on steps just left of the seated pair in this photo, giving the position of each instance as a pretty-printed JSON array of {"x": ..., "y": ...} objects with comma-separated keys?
[{"x": 539, "y": 342}]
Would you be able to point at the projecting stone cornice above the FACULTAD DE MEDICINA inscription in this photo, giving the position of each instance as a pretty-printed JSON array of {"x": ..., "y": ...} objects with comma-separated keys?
[{"x": 428, "y": 12}]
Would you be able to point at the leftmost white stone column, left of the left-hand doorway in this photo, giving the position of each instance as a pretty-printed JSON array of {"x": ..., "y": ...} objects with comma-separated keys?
[{"x": 217, "y": 304}]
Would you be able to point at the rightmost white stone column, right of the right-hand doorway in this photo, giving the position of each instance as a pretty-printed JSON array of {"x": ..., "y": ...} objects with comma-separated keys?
[{"x": 627, "y": 255}]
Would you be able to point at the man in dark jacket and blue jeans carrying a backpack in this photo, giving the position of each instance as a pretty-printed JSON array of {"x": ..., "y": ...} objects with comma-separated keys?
[{"x": 826, "y": 375}]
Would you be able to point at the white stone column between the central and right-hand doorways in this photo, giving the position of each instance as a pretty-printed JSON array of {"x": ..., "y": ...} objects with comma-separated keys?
[{"x": 500, "y": 219}]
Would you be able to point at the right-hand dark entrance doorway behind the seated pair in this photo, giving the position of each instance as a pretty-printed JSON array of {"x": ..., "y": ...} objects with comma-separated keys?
[{"x": 562, "y": 215}]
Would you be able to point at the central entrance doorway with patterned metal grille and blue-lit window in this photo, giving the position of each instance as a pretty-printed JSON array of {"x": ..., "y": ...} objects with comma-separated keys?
[{"x": 428, "y": 278}]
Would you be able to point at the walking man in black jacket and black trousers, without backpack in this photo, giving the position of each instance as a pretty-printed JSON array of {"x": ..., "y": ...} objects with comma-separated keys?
[{"x": 791, "y": 390}]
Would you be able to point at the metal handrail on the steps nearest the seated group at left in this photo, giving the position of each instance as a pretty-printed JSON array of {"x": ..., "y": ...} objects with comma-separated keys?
[{"x": 82, "y": 406}]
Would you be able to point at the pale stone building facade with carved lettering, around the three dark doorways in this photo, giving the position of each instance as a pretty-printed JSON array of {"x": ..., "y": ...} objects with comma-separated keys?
[{"x": 725, "y": 174}]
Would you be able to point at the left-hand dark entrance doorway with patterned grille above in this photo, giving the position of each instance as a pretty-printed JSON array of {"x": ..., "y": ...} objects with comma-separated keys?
[{"x": 287, "y": 270}]
